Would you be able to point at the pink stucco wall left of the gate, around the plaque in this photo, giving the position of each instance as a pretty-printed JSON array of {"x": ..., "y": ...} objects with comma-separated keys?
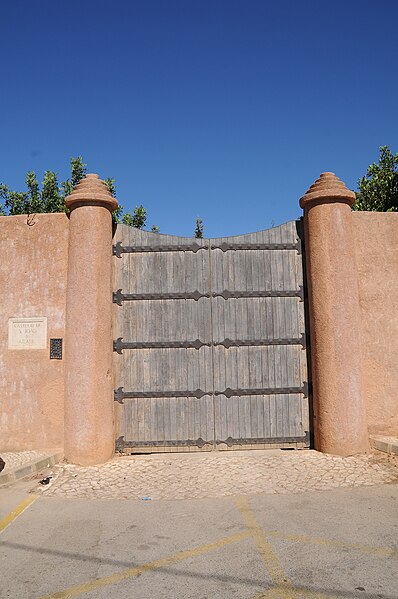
[{"x": 33, "y": 273}]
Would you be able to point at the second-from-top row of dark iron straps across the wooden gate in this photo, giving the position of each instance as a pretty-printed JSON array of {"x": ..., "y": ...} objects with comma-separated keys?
[{"x": 119, "y": 297}]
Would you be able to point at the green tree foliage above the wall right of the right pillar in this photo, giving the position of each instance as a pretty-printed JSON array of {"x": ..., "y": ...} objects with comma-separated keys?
[{"x": 378, "y": 191}]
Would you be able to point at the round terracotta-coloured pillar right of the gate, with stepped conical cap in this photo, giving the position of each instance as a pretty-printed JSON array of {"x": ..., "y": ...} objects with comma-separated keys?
[{"x": 340, "y": 425}]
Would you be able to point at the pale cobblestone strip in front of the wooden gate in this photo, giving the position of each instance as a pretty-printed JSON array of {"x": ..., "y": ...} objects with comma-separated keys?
[{"x": 218, "y": 474}]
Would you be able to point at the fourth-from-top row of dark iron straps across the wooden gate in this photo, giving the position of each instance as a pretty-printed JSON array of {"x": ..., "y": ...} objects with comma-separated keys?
[{"x": 120, "y": 394}]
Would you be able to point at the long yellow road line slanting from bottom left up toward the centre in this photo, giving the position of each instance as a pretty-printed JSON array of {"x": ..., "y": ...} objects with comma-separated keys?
[{"x": 100, "y": 583}]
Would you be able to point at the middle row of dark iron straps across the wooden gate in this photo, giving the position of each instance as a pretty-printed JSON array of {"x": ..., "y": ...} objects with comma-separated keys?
[{"x": 119, "y": 345}]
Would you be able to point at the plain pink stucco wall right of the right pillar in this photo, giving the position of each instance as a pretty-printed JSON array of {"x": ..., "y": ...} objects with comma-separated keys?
[{"x": 376, "y": 248}]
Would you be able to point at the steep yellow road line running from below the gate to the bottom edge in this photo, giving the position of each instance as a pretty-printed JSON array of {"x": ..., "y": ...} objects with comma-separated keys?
[{"x": 271, "y": 560}]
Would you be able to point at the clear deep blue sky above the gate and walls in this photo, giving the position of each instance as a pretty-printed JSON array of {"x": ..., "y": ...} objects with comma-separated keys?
[{"x": 226, "y": 110}]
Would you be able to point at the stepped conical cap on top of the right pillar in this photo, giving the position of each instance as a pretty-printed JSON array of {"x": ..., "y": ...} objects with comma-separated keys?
[{"x": 327, "y": 189}]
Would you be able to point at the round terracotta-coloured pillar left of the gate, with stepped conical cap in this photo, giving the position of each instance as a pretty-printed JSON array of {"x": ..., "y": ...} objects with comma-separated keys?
[{"x": 89, "y": 420}]
